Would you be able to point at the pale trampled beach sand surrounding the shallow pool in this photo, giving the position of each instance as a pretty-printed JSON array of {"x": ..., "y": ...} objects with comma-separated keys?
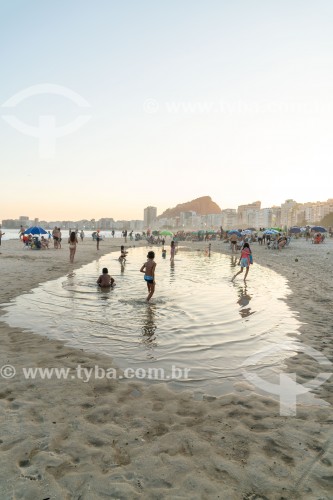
[{"x": 126, "y": 439}]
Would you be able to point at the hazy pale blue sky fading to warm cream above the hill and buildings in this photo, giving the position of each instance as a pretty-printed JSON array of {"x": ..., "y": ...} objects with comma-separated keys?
[{"x": 231, "y": 99}]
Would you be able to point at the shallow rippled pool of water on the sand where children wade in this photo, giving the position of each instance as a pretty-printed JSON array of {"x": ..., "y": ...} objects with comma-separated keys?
[{"x": 197, "y": 319}]
